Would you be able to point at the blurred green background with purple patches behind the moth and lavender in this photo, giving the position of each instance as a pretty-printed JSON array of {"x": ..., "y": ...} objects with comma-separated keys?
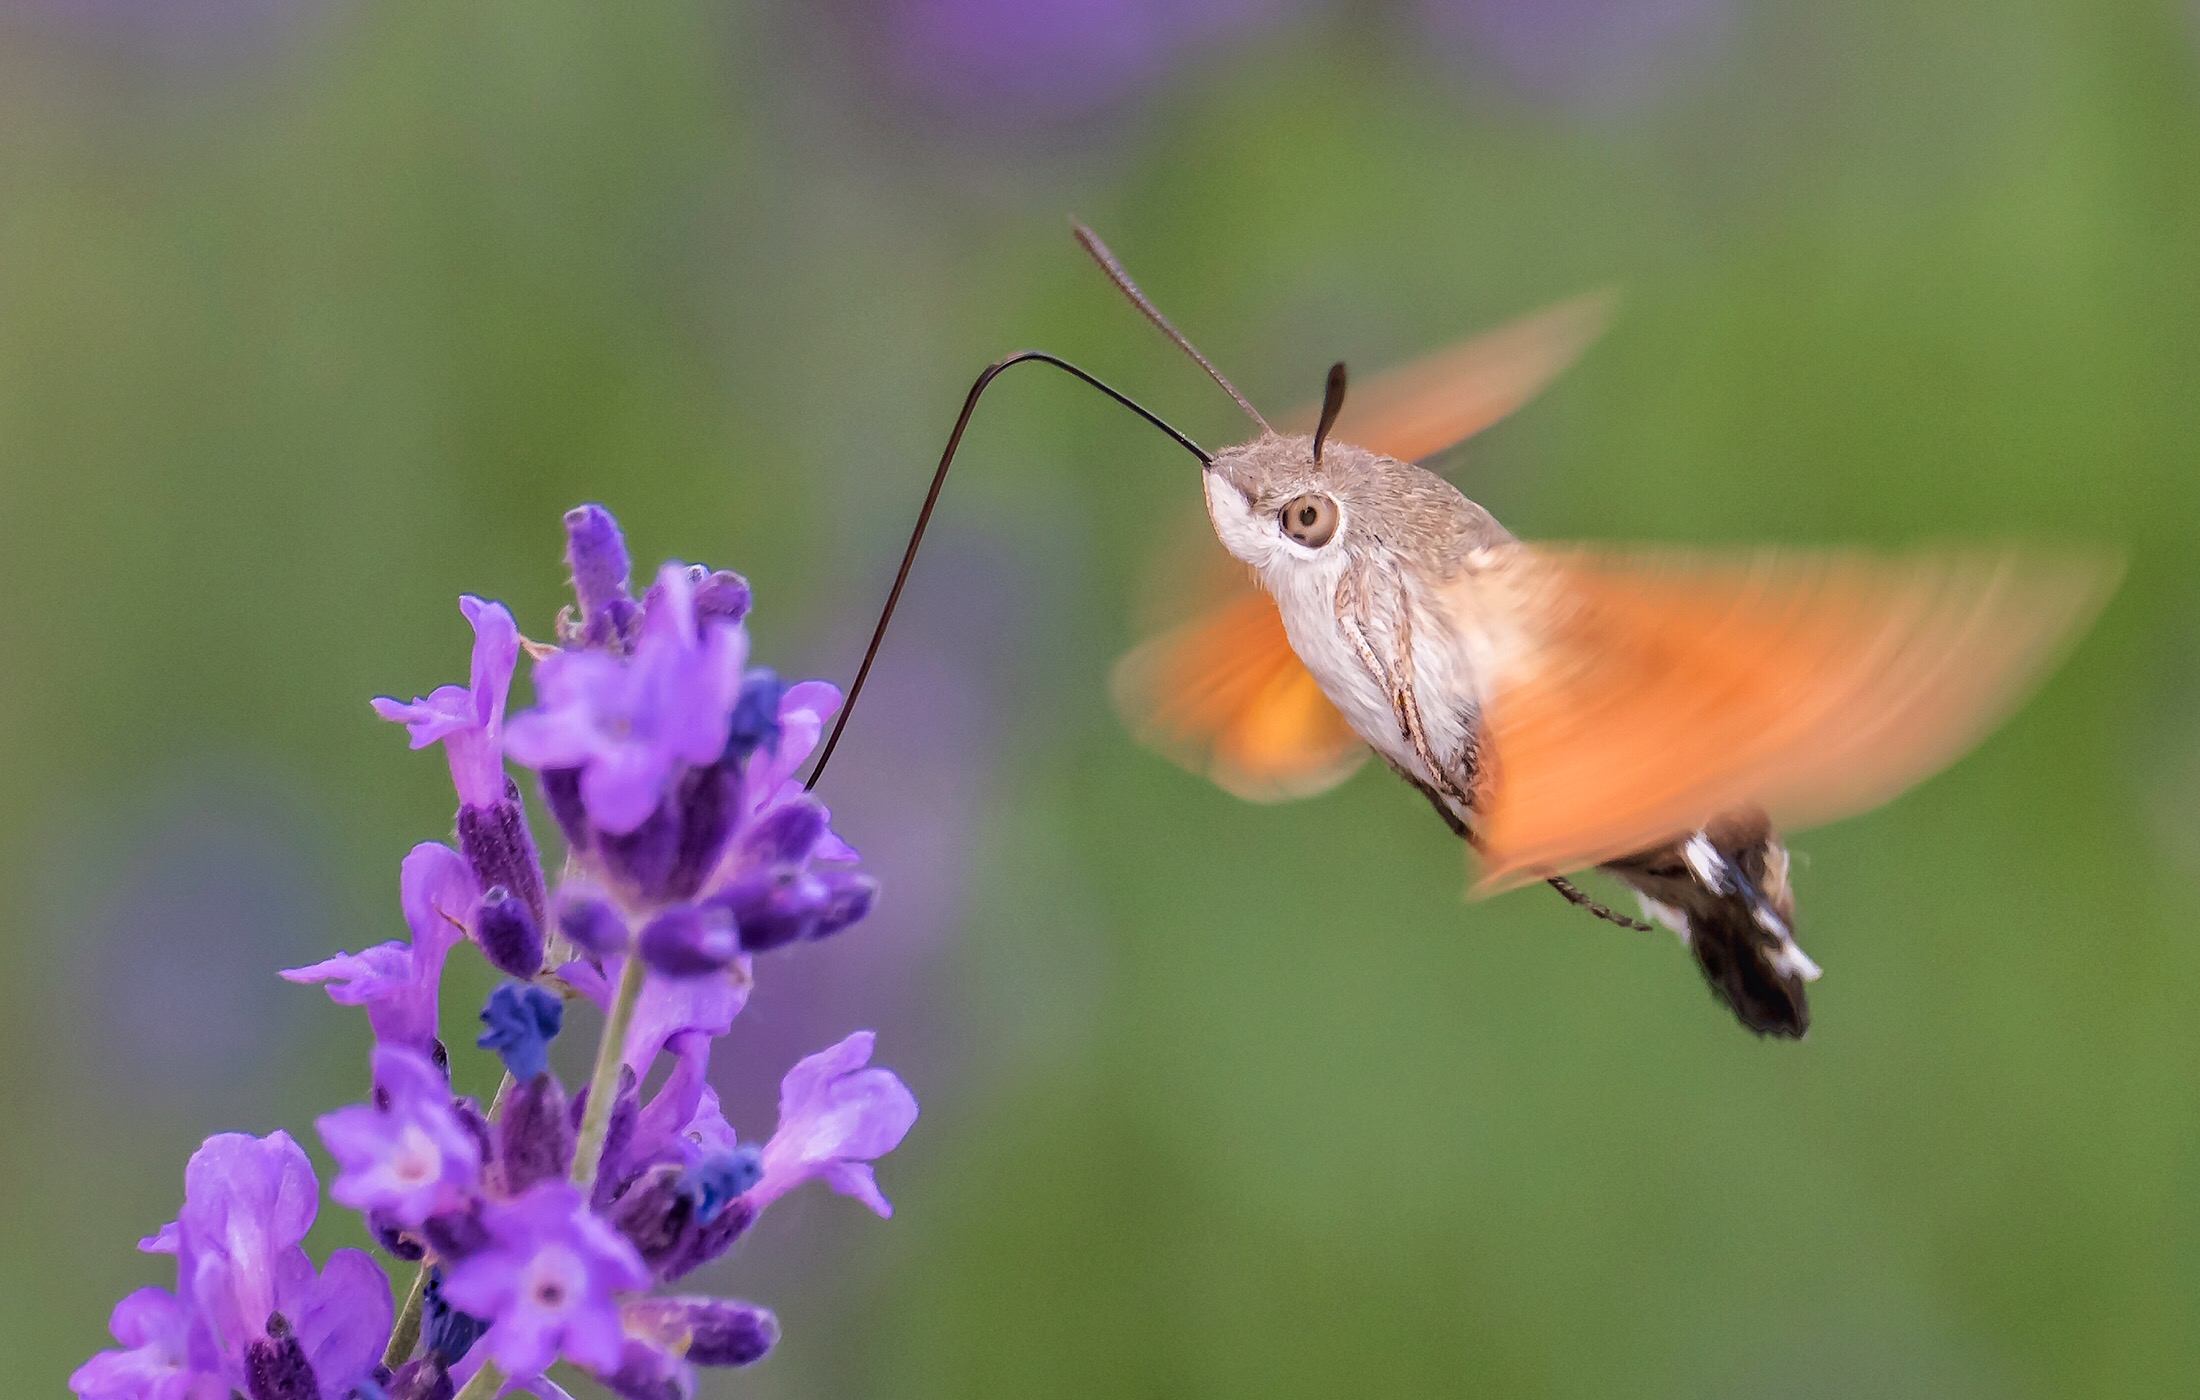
[{"x": 316, "y": 314}]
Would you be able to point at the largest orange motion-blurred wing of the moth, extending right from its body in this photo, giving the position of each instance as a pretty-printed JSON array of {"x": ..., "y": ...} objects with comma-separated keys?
[{"x": 1638, "y": 694}]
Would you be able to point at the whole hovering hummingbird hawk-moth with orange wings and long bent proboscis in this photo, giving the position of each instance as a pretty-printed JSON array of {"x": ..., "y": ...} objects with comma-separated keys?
[{"x": 1644, "y": 712}]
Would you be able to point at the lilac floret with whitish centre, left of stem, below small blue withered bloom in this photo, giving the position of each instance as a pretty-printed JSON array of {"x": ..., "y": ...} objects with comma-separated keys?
[{"x": 406, "y": 1157}]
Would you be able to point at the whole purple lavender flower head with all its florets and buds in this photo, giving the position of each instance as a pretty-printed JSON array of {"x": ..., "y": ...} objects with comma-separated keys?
[{"x": 544, "y": 1229}]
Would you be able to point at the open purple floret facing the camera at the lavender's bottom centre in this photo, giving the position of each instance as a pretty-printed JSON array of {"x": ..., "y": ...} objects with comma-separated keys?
[{"x": 549, "y": 1282}]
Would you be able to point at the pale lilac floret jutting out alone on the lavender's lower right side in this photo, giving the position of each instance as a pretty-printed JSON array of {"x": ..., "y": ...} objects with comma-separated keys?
[{"x": 837, "y": 1115}]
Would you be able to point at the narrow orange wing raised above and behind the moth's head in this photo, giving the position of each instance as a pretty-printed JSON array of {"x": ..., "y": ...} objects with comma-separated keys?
[{"x": 1422, "y": 408}]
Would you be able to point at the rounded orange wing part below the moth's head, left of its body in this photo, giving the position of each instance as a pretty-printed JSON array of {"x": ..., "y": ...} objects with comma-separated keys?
[{"x": 1226, "y": 697}]
